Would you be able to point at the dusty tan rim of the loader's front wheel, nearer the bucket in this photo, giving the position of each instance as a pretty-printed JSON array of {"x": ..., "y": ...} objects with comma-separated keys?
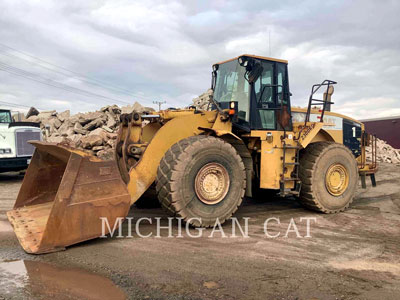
[{"x": 212, "y": 183}]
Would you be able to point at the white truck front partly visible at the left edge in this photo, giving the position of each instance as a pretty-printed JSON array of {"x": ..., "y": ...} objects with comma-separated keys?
[{"x": 15, "y": 151}]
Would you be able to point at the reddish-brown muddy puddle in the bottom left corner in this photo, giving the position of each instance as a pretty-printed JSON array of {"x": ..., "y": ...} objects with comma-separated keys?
[{"x": 38, "y": 280}]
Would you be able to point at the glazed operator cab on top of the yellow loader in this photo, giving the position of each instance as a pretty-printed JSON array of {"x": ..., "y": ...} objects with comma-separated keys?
[{"x": 257, "y": 88}]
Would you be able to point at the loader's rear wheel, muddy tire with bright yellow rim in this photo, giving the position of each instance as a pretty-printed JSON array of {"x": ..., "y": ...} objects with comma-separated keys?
[{"x": 329, "y": 176}]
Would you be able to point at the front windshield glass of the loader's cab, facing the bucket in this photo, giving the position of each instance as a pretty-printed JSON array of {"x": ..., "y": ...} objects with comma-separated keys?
[{"x": 232, "y": 86}]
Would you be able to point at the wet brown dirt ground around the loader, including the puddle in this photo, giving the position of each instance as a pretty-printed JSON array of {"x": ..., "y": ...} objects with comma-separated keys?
[{"x": 351, "y": 255}]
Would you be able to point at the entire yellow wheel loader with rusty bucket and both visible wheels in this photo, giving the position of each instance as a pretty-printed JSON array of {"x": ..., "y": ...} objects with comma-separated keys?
[{"x": 201, "y": 162}]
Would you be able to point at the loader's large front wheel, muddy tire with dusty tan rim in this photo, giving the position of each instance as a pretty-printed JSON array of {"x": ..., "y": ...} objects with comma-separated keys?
[{"x": 201, "y": 177}]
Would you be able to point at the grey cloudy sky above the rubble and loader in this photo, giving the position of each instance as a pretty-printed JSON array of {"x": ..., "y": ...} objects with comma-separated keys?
[{"x": 121, "y": 51}]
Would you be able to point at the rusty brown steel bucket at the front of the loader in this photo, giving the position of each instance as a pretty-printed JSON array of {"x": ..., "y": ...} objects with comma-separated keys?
[{"x": 63, "y": 198}]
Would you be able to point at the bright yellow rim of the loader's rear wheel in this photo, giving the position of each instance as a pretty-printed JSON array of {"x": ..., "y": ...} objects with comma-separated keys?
[{"x": 337, "y": 179}]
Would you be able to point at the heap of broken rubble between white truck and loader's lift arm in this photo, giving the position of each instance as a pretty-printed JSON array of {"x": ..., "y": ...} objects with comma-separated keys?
[{"x": 94, "y": 132}]
